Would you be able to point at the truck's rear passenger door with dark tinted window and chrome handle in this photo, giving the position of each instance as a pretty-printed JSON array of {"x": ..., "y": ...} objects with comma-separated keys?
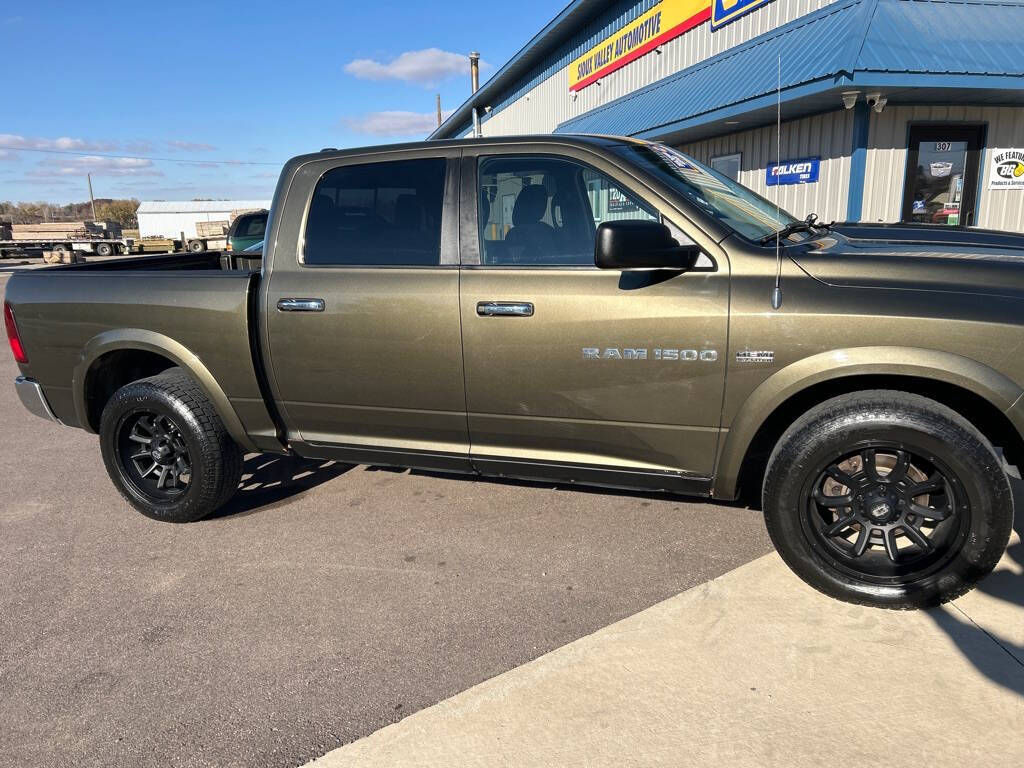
[{"x": 364, "y": 327}]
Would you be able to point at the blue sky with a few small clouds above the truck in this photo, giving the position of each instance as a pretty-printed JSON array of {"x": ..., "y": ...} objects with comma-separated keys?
[{"x": 257, "y": 82}]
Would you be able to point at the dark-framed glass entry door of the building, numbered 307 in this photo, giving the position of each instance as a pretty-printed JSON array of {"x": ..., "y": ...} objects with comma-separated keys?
[{"x": 943, "y": 169}]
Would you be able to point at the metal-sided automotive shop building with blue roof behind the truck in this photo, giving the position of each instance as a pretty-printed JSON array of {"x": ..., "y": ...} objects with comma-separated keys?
[{"x": 892, "y": 110}]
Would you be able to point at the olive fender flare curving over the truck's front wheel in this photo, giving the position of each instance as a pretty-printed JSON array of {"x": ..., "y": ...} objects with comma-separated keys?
[{"x": 948, "y": 368}]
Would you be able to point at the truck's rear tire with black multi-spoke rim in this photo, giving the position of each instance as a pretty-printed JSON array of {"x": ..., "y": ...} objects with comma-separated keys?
[{"x": 167, "y": 451}]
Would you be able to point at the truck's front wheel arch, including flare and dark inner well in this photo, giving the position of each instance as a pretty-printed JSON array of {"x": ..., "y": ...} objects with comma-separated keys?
[{"x": 977, "y": 392}]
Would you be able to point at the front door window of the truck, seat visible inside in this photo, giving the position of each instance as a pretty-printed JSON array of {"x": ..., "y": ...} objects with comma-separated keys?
[{"x": 545, "y": 211}]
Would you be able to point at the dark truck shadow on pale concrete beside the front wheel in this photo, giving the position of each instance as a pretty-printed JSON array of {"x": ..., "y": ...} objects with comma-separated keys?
[{"x": 1005, "y": 665}]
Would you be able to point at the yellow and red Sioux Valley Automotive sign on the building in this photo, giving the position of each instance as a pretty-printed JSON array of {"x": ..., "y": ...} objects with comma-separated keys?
[{"x": 668, "y": 20}]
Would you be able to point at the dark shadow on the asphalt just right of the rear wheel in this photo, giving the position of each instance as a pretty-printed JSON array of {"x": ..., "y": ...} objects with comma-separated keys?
[{"x": 269, "y": 481}]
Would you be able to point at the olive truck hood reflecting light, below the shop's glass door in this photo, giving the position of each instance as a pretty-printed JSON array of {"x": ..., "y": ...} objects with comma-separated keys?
[{"x": 922, "y": 259}]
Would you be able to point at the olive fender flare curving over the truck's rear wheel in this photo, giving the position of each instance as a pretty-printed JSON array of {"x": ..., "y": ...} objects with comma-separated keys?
[{"x": 151, "y": 342}]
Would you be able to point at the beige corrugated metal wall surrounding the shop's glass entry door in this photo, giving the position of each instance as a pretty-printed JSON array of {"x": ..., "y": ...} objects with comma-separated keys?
[{"x": 998, "y": 209}]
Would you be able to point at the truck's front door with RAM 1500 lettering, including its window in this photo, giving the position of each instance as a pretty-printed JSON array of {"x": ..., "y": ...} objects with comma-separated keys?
[{"x": 571, "y": 365}]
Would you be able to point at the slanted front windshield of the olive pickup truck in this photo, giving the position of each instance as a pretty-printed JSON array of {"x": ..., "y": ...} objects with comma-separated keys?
[{"x": 732, "y": 203}]
